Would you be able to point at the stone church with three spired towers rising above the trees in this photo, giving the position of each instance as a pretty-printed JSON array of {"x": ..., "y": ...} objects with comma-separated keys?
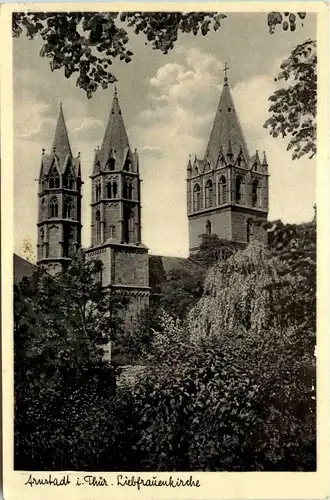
[{"x": 227, "y": 195}]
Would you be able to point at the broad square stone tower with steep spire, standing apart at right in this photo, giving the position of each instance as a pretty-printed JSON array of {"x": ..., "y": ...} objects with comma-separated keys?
[{"x": 227, "y": 190}]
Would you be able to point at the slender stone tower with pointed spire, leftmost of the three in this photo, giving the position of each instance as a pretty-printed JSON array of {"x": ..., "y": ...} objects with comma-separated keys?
[{"x": 59, "y": 197}]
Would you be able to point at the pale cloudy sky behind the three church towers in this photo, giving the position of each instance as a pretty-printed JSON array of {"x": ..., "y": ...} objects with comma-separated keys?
[{"x": 168, "y": 104}]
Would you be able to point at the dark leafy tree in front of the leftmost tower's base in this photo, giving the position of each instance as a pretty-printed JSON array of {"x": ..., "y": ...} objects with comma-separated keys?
[{"x": 55, "y": 314}]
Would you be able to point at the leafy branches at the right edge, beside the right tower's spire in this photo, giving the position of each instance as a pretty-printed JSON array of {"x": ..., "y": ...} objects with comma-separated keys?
[{"x": 293, "y": 107}]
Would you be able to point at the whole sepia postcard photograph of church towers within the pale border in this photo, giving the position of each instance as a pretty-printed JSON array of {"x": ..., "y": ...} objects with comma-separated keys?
[{"x": 164, "y": 242}]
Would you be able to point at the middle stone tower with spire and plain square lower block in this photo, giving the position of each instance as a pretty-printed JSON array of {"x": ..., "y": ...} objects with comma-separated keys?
[{"x": 116, "y": 216}]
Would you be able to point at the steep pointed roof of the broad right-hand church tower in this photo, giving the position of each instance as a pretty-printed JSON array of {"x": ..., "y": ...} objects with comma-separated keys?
[{"x": 226, "y": 131}]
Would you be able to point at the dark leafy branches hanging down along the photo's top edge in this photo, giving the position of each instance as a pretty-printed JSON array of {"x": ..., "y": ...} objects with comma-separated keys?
[{"x": 87, "y": 42}]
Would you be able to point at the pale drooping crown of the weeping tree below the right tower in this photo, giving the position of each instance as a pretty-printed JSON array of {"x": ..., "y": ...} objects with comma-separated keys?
[{"x": 240, "y": 294}]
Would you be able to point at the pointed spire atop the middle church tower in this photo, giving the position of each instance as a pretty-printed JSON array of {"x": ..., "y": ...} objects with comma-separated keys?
[{"x": 115, "y": 139}]
